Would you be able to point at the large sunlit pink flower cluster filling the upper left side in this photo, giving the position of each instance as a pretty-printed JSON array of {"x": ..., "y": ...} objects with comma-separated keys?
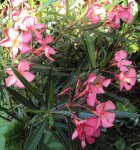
[{"x": 26, "y": 35}]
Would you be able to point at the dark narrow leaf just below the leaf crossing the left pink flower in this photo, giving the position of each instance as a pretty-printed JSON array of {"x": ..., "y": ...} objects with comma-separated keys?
[{"x": 21, "y": 99}]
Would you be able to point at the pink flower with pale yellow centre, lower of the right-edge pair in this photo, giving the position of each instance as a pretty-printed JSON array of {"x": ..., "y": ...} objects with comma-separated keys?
[{"x": 127, "y": 79}]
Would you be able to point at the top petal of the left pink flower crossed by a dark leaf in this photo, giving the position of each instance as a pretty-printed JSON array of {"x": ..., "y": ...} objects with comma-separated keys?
[{"x": 23, "y": 66}]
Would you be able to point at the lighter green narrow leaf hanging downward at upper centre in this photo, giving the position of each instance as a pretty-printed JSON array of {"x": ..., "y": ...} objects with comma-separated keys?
[{"x": 90, "y": 47}]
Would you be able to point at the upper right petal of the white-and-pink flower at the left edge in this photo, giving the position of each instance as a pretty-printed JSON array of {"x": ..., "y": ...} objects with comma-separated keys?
[{"x": 26, "y": 37}]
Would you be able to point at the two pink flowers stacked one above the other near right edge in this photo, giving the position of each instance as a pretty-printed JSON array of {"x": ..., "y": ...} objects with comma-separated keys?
[{"x": 127, "y": 75}]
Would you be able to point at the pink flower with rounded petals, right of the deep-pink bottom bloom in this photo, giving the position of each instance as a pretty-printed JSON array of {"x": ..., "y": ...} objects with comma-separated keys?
[{"x": 107, "y": 118}]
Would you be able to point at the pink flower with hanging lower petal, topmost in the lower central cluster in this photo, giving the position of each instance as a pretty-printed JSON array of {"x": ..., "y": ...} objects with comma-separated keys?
[{"x": 97, "y": 88}]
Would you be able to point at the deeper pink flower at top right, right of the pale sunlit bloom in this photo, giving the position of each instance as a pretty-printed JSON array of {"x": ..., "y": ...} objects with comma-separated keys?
[{"x": 122, "y": 13}]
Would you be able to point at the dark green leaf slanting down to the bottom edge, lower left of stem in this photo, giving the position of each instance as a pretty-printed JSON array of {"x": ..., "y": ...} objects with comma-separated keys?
[{"x": 33, "y": 140}]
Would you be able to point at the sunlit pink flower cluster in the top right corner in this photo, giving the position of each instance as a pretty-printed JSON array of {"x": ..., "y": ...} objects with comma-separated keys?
[{"x": 96, "y": 13}]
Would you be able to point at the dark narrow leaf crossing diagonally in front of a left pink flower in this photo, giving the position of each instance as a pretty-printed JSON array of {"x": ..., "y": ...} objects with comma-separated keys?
[{"x": 28, "y": 85}]
